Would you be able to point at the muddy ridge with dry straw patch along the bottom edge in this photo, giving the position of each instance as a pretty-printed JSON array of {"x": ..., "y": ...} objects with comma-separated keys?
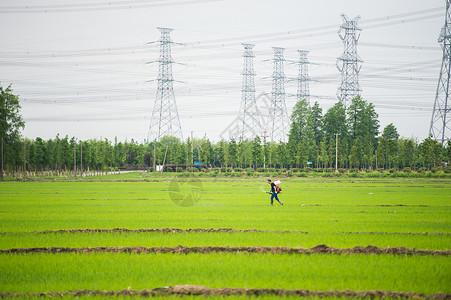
[{"x": 193, "y": 290}]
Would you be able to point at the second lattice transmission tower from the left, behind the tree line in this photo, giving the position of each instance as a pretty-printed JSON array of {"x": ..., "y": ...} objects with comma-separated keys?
[{"x": 249, "y": 120}]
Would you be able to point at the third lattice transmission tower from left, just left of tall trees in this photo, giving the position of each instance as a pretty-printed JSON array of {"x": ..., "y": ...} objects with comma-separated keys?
[{"x": 278, "y": 124}]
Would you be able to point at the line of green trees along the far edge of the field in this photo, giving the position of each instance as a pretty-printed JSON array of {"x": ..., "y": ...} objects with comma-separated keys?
[{"x": 345, "y": 138}]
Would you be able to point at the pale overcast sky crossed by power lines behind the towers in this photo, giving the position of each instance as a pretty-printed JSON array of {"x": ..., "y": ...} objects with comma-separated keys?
[{"x": 81, "y": 67}]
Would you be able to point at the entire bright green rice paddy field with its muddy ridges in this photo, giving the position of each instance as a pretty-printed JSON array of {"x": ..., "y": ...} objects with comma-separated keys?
[{"x": 140, "y": 234}]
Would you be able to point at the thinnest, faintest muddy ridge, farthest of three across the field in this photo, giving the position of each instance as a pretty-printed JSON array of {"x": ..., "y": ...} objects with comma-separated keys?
[{"x": 208, "y": 230}]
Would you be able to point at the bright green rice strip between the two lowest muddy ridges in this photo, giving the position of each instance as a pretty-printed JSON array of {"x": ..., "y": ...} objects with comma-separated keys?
[{"x": 117, "y": 271}]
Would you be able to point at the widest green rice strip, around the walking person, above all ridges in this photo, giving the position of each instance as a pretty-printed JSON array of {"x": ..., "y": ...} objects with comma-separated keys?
[{"x": 310, "y": 205}]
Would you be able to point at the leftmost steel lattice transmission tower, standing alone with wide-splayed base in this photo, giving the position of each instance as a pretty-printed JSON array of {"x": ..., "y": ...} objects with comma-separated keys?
[{"x": 165, "y": 118}]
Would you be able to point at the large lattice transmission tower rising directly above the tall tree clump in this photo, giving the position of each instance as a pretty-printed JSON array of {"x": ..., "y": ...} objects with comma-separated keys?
[{"x": 349, "y": 63}]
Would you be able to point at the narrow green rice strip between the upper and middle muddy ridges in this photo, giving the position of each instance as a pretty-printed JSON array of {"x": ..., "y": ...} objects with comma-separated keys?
[{"x": 232, "y": 239}]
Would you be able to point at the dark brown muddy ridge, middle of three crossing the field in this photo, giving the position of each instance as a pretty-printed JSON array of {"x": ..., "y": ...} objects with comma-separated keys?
[{"x": 319, "y": 249}]
